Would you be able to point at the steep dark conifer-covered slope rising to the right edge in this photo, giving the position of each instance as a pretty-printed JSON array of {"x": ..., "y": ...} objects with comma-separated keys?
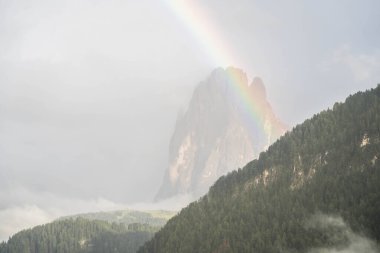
[{"x": 316, "y": 189}]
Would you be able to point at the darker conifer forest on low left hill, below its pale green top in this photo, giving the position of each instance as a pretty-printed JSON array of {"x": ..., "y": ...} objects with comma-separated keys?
[{"x": 79, "y": 236}]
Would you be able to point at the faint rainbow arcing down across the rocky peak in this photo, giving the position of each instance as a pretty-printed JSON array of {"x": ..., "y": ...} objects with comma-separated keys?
[{"x": 206, "y": 33}]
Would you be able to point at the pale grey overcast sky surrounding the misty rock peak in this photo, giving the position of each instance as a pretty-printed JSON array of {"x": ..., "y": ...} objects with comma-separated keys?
[{"x": 90, "y": 89}]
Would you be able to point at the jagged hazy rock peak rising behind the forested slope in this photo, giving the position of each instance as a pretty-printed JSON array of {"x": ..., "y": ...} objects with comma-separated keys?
[{"x": 228, "y": 123}]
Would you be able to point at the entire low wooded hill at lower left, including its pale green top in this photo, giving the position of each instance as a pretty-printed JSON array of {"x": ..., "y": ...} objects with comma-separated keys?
[{"x": 102, "y": 232}]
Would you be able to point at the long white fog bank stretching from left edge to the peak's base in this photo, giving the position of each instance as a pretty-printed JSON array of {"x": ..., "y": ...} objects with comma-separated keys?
[{"x": 22, "y": 208}]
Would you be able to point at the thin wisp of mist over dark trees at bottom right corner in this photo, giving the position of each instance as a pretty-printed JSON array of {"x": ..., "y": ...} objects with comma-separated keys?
[{"x": 356, "y": 243}]
